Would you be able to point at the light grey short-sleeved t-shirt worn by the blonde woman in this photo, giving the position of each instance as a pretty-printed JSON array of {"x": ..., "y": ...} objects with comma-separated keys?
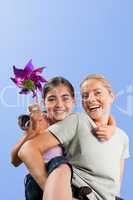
[{"x": 95, "y": 163}]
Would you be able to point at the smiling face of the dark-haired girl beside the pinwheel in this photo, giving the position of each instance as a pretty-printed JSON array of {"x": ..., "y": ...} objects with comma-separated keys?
[{"x": 59, "y": 103}]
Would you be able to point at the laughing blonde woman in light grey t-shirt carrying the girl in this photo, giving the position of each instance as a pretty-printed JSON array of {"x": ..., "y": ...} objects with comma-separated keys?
[{"x": 96, "y": 165}]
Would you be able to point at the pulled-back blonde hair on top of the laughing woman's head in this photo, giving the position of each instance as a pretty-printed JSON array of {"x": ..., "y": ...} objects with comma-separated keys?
[{"x": 99, "y": 78}]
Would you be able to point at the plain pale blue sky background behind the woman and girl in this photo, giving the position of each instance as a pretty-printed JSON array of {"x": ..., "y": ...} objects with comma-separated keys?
[{"x": 71, "y": 38}]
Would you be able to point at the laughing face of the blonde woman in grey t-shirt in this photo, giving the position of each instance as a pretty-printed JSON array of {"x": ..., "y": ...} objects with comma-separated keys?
[{"x": 96, "y": 100}]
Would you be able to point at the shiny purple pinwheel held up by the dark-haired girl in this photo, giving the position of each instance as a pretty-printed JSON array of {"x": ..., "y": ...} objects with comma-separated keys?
[{"x": 28, "y": 79}]
